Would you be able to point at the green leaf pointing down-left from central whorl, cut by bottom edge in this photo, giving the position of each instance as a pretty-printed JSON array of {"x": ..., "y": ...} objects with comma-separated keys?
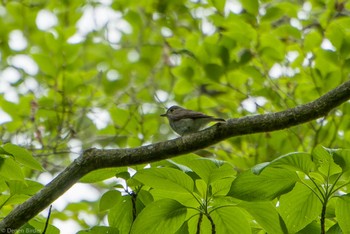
[{"x": 165, "y": 214}]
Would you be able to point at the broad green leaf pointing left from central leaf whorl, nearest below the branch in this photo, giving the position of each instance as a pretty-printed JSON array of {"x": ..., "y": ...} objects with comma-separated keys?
[{"x": 166, "y": 178}]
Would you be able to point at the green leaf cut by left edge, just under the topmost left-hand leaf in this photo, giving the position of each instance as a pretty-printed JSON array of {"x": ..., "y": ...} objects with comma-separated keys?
[{"x": 10, "y": 169}]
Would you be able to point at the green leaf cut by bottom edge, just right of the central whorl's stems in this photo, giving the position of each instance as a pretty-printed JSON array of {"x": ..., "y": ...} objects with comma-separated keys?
[{"x": 265, "y": 213}]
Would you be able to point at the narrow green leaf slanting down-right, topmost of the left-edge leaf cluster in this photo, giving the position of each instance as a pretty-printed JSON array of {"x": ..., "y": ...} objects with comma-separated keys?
[{"x": 23, "y": 156}]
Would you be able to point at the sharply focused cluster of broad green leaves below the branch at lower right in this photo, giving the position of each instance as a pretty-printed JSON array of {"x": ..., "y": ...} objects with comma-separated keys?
[{"x": 291, "y": 194}]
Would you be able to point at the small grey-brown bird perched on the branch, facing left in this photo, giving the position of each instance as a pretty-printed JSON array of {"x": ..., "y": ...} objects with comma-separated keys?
[{"x": 184, "y": 121}]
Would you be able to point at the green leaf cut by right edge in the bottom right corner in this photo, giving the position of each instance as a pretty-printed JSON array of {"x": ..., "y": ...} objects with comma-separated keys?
[{"x": 342, "y": 211}]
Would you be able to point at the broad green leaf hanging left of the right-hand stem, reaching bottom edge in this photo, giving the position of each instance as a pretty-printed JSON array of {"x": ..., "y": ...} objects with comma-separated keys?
[{"x": 299, "y": 208}]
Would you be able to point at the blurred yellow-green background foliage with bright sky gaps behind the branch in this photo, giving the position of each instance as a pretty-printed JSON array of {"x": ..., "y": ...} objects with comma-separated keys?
[{"x": 81, "y": 74}]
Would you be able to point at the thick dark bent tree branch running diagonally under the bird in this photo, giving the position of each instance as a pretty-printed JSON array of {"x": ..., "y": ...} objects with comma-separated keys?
[{"x": 93, "y": 159}]
